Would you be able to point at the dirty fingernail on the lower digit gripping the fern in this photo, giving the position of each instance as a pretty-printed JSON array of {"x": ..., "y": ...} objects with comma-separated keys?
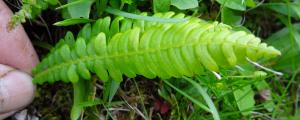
[{"x": 16, "y": 89}]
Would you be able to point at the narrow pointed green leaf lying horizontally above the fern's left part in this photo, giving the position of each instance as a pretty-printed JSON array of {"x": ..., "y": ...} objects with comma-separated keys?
[{"x": 72, "y": 21}]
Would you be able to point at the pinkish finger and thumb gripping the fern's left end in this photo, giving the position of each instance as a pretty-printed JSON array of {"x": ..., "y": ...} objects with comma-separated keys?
[{"x": 16, "y": 88}]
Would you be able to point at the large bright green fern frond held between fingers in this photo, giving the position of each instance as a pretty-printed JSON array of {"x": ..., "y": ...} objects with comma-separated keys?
[{"x": 151, "y": 49}]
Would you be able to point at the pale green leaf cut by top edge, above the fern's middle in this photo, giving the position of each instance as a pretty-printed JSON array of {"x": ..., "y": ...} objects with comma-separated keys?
[{"x": 184, "y": 4}]
